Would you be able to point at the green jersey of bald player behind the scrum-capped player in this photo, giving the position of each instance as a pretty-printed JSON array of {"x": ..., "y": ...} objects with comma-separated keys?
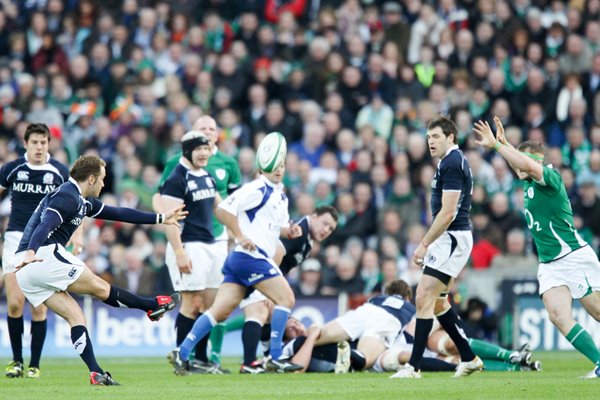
[{"x": 222, "y": 168}]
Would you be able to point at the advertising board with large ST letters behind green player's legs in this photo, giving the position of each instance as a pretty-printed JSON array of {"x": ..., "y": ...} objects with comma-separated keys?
[{"x": 534, "y": 327}]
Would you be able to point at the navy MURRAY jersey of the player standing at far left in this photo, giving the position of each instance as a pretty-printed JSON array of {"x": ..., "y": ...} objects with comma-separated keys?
[{"x": 28, "y": 184}]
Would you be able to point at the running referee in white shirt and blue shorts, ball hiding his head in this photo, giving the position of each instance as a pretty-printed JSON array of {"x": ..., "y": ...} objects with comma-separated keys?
[{"x": 257, "y": 216}]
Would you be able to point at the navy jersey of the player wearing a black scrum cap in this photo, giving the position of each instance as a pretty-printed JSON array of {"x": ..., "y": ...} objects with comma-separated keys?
[{"x": 197, "y": 190}]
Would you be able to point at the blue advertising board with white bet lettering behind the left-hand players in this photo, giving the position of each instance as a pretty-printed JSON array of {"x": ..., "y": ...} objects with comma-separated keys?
[{"x": 125, "y": 332}]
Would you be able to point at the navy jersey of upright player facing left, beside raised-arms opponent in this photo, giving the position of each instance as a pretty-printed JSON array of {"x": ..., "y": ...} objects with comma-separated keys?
[{"x": 453, "y": 174}]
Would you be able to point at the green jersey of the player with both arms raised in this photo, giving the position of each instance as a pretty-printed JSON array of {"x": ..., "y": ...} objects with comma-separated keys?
[{"x": 549, "y": 217}]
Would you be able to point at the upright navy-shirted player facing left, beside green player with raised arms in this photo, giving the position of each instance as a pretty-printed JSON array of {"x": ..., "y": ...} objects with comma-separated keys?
[{"x": 445, "y": 249}]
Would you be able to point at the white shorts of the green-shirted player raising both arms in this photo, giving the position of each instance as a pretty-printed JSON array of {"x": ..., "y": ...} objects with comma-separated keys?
[{"x": 579, "y": 271}]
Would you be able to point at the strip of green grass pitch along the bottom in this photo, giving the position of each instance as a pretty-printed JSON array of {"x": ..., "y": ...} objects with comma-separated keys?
[{"x": 151, "y": 378}]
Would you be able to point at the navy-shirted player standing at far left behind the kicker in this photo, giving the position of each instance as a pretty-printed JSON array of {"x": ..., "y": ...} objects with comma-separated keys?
[{"x": 28, "y": 179}]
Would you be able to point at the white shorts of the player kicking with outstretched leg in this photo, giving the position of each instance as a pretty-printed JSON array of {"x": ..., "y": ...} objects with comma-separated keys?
[{"x": 55, "y": 273}]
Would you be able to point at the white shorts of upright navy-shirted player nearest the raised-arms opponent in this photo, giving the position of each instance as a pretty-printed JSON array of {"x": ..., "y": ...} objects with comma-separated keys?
[{"x": 450, "y": 252}]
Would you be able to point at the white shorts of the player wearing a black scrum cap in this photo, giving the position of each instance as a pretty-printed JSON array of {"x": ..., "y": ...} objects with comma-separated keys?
[{"x": 207, "y": 260}]
